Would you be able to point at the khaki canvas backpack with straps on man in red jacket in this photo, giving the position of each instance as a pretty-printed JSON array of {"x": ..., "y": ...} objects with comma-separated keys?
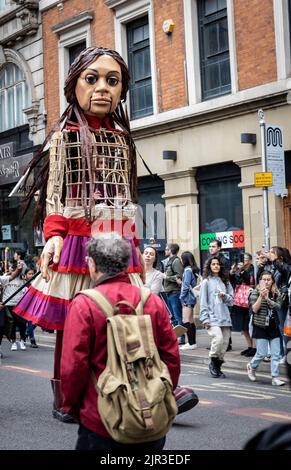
[{"x": 135, "y": 398}]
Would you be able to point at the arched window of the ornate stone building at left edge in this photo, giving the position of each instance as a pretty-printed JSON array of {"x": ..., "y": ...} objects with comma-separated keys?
[{"x": 14, "y": 97}]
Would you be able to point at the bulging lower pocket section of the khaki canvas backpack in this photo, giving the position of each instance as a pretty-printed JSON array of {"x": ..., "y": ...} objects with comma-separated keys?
[{"x": 140, "y": 414}]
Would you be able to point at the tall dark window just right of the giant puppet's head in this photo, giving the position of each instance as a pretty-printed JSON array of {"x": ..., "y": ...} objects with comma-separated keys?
[{"x": 139, "y": 62}]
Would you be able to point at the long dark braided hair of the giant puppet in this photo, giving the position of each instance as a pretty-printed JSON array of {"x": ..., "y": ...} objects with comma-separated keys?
[{"x": 74, "y": 113}]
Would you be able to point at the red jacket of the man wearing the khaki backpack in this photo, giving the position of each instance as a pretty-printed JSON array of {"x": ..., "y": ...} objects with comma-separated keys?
[{"x": 85, "y": 348}]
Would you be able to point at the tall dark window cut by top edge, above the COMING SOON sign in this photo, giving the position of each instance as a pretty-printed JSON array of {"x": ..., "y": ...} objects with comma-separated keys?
[{"x": 214, "y": 48}]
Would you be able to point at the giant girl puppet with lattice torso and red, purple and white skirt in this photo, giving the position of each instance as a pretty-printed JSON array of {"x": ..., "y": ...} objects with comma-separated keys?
[{"x": 86, "y": 185}]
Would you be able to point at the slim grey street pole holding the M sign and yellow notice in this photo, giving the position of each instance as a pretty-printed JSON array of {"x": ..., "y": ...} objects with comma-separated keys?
[{"x": 262, "y": 122}]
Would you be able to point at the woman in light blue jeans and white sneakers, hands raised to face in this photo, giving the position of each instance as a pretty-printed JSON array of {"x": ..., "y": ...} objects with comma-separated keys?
[{"x": 265, "y": 303}]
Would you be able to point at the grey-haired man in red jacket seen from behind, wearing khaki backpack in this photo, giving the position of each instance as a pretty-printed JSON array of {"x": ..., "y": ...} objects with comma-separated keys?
[{"x": 120, "y": 359}]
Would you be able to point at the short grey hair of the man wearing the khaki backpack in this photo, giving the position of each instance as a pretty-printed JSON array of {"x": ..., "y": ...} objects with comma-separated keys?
[{"x": 110, "y": 253}]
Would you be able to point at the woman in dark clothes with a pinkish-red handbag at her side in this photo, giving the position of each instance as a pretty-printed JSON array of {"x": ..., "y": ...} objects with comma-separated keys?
[{"x": 242, "y": 279}]
